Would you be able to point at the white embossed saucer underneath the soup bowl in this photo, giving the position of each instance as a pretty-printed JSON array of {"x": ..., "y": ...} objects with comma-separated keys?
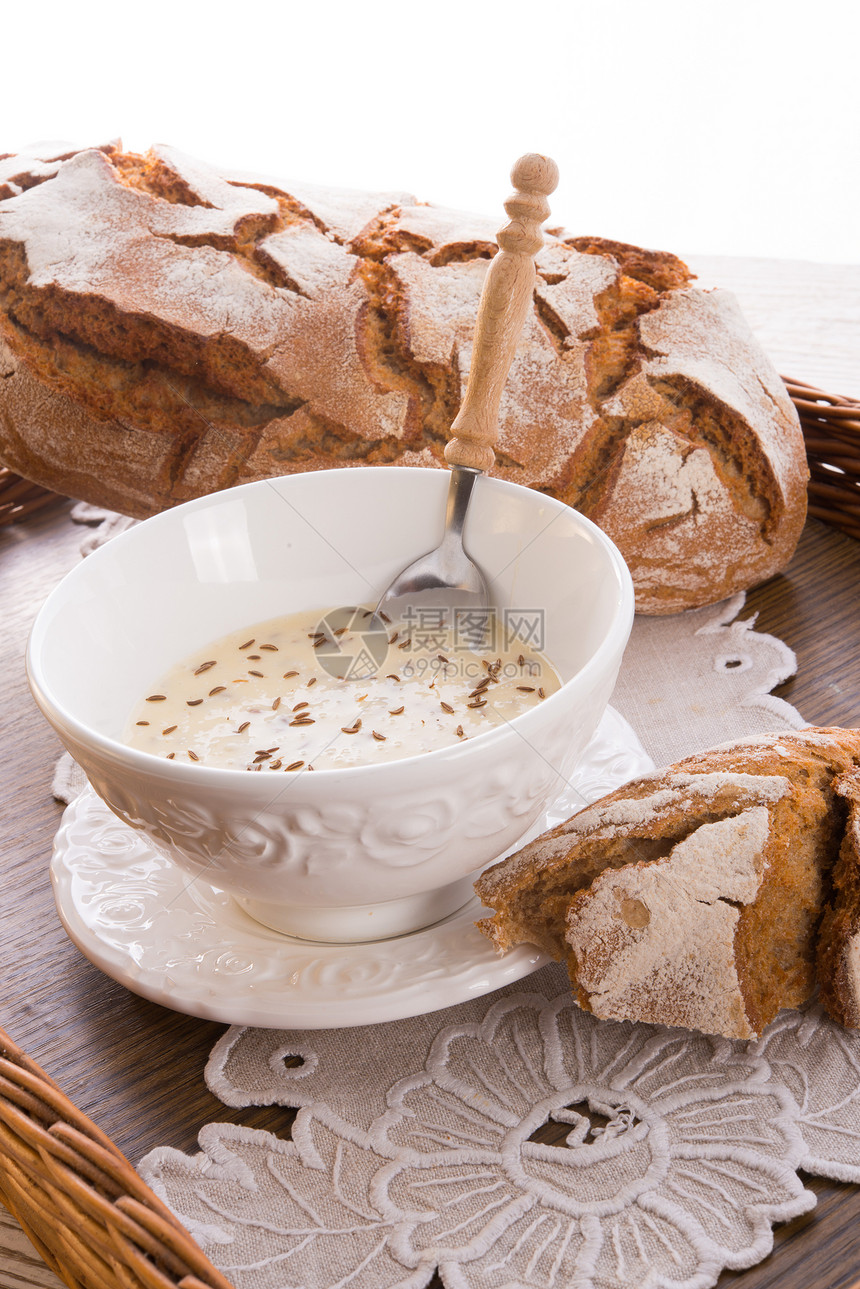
[{"x": 188, "y": 945}]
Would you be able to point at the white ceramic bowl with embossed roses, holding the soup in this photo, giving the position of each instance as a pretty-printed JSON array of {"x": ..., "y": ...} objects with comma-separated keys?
[{"x": 354, "y": 854}]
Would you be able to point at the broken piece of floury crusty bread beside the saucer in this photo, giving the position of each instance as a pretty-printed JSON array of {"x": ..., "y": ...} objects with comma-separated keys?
[{"x": 696, "y": 896}]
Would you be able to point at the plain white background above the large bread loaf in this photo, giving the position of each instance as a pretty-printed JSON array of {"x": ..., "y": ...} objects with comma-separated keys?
[{"x": 727, "y": 128}]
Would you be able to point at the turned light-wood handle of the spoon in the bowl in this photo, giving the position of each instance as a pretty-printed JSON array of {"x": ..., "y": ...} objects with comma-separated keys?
[{"x": 505, "y": 304}]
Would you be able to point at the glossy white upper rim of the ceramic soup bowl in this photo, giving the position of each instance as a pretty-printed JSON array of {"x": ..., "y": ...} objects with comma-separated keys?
[{"x": 213, "y": 777}]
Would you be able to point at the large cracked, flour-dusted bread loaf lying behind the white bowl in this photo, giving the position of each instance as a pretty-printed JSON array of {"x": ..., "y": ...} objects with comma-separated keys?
[{"x": 167, "y": 331}]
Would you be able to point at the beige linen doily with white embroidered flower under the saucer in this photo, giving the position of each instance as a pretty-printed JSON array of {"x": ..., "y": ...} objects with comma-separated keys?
[{"x": 415, "y": 1148}]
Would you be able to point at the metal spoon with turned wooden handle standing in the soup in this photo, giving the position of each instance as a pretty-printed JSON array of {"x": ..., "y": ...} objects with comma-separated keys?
[{"x": 447, "y": 578}]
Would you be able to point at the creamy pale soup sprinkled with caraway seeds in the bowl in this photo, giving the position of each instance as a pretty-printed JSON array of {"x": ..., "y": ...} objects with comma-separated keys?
[{"x": 323, "y": 692}]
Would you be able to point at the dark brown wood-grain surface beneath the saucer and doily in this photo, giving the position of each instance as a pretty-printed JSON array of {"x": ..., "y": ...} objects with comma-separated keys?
[{"x": 137, "y": 1069}]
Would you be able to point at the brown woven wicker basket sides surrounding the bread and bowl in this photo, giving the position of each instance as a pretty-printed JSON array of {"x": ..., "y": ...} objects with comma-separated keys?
[{"x": 86, "y": 1210}]
